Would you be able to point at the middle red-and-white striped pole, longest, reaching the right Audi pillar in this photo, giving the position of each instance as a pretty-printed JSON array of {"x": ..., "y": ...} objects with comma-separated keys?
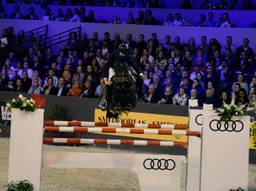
[{"x": 122, "y": 130}]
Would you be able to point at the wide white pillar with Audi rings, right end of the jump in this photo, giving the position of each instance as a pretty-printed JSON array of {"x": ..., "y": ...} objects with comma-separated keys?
[{"x": 224, "y": 157}]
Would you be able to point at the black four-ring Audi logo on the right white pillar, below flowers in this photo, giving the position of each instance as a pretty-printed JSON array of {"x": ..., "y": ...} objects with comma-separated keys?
[{"x": 229, "y": 126}]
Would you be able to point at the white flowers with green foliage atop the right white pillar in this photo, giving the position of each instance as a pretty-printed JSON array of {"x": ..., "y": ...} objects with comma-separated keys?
[{"x": 228, "y": 111}]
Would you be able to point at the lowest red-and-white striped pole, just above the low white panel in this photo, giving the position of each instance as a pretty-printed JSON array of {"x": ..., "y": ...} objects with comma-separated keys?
[{"x": 51, "y": 140}]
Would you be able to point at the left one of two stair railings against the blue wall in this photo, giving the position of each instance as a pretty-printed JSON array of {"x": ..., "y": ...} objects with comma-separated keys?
[{"x": 40, "y": 32}]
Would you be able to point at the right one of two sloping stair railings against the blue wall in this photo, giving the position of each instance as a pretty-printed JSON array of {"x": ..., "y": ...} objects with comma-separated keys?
[{"x": 63, "y": 37}]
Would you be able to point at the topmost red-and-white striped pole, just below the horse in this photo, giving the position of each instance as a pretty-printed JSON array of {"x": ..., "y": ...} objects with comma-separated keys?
[{"x": 120, "y": 125}]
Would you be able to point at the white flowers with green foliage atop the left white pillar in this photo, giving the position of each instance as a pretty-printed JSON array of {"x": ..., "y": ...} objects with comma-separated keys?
[{"x": 22, "y": 103}]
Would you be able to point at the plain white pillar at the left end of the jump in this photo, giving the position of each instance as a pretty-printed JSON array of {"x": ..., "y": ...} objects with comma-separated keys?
[{"x": 26, "y": 146}]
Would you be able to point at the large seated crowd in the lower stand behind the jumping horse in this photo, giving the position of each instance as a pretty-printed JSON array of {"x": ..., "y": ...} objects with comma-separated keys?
[{"x": 173, "y": 71}]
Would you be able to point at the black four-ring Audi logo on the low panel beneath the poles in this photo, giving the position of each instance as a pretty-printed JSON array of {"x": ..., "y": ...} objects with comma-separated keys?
[{"x": 159, "y": 164}]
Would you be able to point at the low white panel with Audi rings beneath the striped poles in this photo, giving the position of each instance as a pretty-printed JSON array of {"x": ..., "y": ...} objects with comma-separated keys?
[{"x": 149, "y": 179}]
